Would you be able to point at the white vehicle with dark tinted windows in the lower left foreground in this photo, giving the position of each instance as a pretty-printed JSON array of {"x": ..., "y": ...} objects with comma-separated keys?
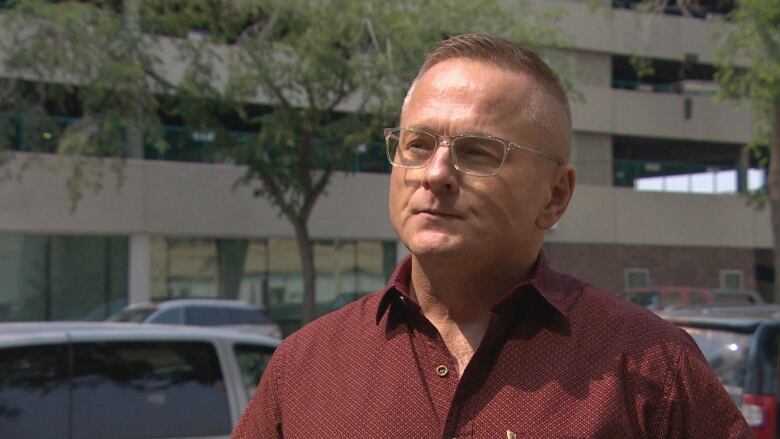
[{"x": 95, "y": 380}]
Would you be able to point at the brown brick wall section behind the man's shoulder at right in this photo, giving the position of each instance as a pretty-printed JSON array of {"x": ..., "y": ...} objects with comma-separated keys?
[{"x": 603, "y": 265}]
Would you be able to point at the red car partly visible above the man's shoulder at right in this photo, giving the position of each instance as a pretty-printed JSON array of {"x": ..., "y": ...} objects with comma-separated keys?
[{"x": 658, "y": 298}]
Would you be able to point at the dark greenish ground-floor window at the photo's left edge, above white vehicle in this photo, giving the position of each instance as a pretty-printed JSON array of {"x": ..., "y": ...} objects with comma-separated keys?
[{"x": 68, "y": 277}]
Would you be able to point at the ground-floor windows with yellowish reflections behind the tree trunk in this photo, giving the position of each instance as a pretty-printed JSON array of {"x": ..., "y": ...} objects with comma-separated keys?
[{"x": 267, "y": 272}]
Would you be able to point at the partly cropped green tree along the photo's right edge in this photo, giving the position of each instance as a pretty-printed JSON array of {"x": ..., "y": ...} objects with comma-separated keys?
[{"x": 749, "y": 68}]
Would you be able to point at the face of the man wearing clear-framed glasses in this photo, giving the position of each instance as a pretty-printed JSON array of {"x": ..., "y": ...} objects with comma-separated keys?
[{"x": 436, "y": 210}]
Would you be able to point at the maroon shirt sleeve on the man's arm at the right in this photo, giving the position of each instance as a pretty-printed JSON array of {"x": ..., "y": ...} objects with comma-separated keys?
[{"x": 698, "y": 405}]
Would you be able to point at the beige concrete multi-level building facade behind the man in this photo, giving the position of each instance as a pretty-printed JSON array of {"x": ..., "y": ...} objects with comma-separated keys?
[{"x": 661, "y": 171}]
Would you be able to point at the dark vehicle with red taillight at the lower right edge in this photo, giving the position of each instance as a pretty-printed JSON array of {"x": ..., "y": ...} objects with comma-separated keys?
[{"x": 741, "y": 344}]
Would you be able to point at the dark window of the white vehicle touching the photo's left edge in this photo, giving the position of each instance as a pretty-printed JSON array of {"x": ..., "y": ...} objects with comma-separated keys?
[{"x": 34, "y": 392}]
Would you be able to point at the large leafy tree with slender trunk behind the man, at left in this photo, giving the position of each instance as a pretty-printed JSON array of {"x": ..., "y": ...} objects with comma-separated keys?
[{"x": 308, "y": 82}]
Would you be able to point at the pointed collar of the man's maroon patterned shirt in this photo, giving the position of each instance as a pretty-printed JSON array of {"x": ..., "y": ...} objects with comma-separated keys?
[{"x": 558, "y": 290}]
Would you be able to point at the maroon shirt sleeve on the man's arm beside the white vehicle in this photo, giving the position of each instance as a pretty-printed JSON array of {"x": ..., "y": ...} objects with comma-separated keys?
[{"x": 262, "y": 417}]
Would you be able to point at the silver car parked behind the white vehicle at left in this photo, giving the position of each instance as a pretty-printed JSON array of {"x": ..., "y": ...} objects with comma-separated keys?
[{"x": 201, "y": 312}]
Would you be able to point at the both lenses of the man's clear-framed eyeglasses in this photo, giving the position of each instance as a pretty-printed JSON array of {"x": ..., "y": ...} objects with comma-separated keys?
[{"x": 472, "y": 155}]
